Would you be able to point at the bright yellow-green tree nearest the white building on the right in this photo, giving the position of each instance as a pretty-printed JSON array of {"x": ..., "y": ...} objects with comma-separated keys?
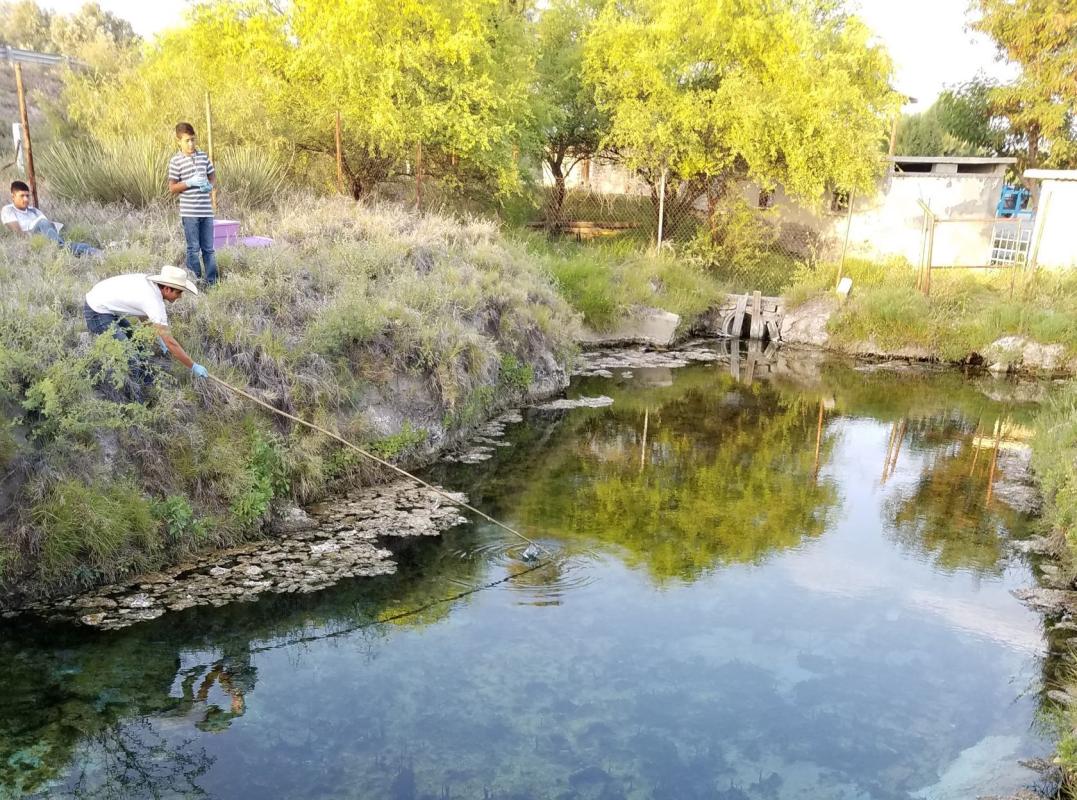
[{"x": 787, "y": 92}]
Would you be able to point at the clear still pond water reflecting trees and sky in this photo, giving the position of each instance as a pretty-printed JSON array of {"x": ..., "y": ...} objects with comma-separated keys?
[{"x": 731, "y": 621}]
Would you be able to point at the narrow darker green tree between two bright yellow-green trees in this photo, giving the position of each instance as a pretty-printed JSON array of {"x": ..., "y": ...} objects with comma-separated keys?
[{"x": 571, "y": 124}]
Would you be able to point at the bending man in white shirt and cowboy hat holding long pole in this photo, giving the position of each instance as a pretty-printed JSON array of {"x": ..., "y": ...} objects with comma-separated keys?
[{"x": 110, "y": 302}]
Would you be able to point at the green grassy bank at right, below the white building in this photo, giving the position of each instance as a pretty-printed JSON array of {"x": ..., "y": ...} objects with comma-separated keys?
[{"x": 967, "y": 313}]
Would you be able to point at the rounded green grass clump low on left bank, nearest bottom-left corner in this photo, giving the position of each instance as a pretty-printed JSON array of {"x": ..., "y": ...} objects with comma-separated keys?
[{"x": 106, "y": 525}]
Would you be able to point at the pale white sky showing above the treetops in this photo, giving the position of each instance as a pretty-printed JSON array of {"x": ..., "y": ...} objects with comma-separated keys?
[{"x": 927, "y": 39}]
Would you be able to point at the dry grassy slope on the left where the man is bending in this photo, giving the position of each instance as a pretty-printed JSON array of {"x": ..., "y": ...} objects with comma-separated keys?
[{"x": 395, "y": 330}]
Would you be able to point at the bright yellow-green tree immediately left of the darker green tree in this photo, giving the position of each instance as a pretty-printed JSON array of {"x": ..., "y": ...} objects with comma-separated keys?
[{"x": 451, "y": 76}]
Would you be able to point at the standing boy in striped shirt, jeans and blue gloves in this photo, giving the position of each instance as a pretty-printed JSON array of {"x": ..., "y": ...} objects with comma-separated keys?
[{"x": 192, "y": 177}]
